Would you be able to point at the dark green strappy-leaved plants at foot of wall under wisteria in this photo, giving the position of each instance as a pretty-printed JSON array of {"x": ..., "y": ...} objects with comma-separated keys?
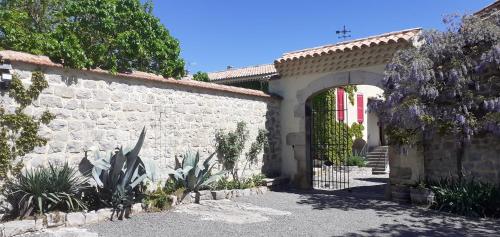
[{"x": 466, "y": 197}]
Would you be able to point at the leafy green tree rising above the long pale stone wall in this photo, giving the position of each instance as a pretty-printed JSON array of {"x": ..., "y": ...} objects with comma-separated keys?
[{"x": 115, "y": 35}]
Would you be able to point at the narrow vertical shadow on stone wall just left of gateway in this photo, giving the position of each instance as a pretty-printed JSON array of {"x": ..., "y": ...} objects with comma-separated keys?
[{"x": 272, "y": 154}]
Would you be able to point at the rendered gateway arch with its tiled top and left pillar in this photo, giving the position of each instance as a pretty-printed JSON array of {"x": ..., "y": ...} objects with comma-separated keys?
[{"x": 304, "y": 73}]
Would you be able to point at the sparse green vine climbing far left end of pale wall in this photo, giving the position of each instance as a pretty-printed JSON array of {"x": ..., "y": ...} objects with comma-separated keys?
[{"x": 18, "y": 130}]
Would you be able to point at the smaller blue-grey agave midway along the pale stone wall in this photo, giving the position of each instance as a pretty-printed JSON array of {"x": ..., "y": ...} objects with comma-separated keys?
[{"x": 193, "y": 173}]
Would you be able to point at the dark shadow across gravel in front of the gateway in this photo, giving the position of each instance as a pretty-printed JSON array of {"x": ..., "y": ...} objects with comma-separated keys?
[{"x": 406, "y": 220}]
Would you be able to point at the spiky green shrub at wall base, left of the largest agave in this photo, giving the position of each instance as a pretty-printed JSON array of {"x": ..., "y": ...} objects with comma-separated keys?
[{"x": 46, "y": 189}]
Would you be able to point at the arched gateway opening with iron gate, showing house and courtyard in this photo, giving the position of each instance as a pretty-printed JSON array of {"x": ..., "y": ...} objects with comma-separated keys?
[{"x": 339, "y": 134}]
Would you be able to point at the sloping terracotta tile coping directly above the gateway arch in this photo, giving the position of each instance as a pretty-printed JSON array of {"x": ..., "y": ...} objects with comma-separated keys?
[{"x": 392, "y": 37}]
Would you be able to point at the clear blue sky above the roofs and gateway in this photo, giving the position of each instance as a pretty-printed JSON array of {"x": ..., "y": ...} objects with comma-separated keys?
[{"x": 214, "y": 34}]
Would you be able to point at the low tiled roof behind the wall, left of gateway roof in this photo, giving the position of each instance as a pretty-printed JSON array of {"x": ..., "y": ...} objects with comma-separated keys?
[{"x": 252, "y": 71}]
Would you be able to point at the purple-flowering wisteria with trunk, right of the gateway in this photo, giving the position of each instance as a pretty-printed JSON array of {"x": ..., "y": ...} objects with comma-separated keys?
[{"x": 448, "y": 85}]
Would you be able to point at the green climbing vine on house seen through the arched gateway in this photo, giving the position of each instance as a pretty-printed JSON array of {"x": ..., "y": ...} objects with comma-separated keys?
[{"x": 330, "y": 131}]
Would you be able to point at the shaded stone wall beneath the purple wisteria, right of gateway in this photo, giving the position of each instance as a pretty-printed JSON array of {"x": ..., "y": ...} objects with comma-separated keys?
[{"x": 481, "y": 160}]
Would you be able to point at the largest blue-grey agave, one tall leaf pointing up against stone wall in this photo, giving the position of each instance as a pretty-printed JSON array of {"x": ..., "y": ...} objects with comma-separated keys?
[{"x": 118, "y": 177}]
